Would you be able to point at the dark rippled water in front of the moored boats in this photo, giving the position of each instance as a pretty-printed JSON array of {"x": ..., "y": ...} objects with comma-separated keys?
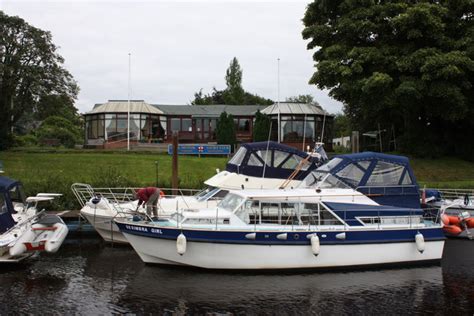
[{"x": 86, "y": 277}]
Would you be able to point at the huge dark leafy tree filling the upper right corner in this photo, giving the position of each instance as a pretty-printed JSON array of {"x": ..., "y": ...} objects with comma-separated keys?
[{"x": 406, "y": 64}]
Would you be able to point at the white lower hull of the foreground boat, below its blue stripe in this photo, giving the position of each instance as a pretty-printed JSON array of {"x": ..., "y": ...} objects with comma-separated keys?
[{"x": 239, "y": 256}]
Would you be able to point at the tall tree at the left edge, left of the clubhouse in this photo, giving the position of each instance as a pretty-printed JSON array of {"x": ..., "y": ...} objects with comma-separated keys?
[{"x": 30, "y": 68}]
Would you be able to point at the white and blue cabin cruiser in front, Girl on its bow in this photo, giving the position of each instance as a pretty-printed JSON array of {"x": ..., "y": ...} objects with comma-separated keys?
[{"x": 289, "y": 229}]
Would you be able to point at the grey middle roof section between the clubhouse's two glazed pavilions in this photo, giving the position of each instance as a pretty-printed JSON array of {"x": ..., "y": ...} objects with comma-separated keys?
[{"x": 210, "y": 110}]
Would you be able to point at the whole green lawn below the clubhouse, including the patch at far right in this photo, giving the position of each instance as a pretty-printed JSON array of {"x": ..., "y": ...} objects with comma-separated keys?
[{"x": 55, "y": 171}]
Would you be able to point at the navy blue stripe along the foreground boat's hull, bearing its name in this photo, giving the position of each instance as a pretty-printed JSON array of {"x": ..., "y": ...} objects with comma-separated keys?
[{"x": 294, "y": 238}]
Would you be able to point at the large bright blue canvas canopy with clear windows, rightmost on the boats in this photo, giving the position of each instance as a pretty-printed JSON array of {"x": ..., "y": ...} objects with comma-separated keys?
[{"x": 387, "y": 179}]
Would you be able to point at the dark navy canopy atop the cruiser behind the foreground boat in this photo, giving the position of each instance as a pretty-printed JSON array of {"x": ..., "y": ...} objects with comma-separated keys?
[{"x": 270, "y": 160}]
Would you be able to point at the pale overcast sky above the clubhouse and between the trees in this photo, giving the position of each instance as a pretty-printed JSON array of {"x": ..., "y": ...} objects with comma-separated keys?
[{"x": 177, "y": 47}]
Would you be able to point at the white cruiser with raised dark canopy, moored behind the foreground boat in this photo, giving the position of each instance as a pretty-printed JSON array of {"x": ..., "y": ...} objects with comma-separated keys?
[{"x": 262, "y": 165}]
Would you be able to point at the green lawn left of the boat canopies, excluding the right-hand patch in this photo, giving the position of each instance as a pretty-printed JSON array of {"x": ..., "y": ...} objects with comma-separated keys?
[{"x": 46, "y": 171}]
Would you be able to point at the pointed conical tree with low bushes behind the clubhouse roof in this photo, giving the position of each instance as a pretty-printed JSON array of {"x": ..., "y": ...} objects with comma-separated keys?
[{"x": 233, "y": 94}]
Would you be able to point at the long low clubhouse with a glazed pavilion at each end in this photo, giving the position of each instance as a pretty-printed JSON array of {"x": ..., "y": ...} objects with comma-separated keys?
[{"x": 107, "y": 123}]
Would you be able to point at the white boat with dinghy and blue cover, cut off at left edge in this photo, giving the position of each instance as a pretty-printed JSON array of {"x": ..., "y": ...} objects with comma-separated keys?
[{"x": 23, "y": 230}]
